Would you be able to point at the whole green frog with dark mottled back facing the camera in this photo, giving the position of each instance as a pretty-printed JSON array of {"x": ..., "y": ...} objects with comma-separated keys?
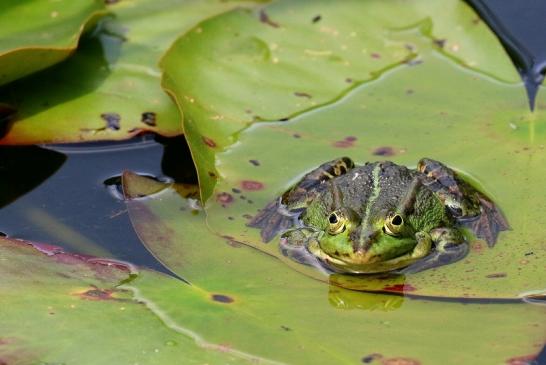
[{"x": 379, "y": 217}]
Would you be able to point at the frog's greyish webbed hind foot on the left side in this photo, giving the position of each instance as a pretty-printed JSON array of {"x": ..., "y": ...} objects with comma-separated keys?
[{"x": 273, "y": 219}]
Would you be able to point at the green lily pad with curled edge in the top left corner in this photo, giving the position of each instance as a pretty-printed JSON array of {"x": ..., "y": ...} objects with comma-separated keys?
[{"x": 37, "y": 34}]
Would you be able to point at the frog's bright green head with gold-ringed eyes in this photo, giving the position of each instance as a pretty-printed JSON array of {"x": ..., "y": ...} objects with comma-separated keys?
[{"x": 376, "y": 237}]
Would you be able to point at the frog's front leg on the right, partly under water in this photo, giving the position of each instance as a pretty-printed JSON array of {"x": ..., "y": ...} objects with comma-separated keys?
[{"x": 449, "y": 246}]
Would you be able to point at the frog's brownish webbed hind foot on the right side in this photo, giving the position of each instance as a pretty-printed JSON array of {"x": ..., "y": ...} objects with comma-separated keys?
[{"x": 489, "y": 223}]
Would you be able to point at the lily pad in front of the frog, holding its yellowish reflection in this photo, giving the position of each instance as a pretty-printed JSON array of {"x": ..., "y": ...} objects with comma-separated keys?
[{"x": 253, "y": 302}]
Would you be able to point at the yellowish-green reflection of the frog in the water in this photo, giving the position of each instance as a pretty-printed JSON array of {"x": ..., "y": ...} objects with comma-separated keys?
[{"x": 345, "y": 299}]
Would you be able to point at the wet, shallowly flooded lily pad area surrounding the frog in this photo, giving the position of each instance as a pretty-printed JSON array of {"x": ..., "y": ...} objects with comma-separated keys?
[{"x": 500, "y": 145}]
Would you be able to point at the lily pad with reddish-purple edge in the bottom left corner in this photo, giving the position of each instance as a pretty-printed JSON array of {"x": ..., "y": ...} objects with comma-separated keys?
[{"x": 65, "y": 308}]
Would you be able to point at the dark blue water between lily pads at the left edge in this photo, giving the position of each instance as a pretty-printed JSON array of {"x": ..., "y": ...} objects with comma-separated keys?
[{"x": 67, "y": 195}]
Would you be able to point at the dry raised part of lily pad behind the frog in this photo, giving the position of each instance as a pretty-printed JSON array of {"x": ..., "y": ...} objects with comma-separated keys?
[{"x": 292, "y": 56}]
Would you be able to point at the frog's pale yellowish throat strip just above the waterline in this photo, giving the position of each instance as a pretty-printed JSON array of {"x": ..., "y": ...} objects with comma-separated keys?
[{"x": 363, "y": 268}]
